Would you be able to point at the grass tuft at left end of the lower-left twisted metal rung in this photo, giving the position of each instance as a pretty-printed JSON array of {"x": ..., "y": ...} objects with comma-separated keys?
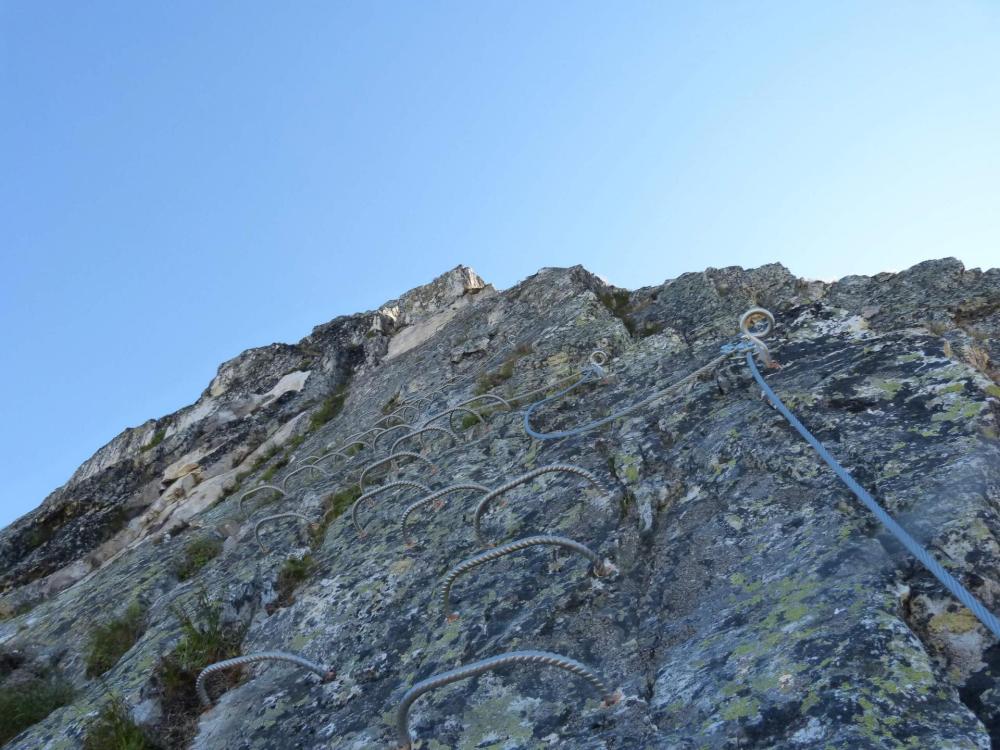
[{"x": 199, "y": 646}]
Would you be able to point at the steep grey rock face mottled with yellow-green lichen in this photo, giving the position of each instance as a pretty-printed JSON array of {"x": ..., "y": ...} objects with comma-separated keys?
[{"x": 755, "y": 603}]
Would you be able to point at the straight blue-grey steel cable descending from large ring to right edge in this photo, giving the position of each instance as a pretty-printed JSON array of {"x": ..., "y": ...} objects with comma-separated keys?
[{"x": 926, "y": 559}]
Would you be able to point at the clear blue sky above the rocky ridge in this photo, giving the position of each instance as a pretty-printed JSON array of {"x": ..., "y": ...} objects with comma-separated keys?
[{"x": 182, "y": 181}]
